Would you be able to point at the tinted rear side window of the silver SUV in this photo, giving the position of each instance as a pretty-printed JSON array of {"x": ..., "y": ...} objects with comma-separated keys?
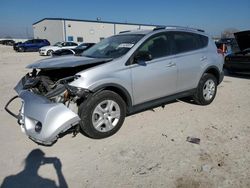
[{"x": 185, "y": 42}]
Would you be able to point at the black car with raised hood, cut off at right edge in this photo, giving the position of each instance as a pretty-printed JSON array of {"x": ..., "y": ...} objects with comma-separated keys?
[{"x": 240, "y": 60}]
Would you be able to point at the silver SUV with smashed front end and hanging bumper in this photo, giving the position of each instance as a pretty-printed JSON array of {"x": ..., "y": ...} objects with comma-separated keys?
[{"x": 122, "y": 75}]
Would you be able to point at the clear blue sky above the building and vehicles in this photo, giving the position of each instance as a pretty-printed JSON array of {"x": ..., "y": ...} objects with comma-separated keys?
[{"x": 214, "y": 16}]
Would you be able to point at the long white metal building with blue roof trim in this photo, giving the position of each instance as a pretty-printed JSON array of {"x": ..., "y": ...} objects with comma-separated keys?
[{"x": 60, "y": 29}]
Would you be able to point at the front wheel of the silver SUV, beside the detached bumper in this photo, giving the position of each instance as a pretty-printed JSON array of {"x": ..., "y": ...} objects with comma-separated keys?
[{"x": 102, "y": 114}]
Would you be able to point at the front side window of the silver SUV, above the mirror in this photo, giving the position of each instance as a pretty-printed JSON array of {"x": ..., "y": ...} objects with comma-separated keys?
[{"x": 158, "y": 46}]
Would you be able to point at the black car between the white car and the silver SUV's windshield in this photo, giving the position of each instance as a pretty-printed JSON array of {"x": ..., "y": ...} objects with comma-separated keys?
[{"x": 75, "y": 51}]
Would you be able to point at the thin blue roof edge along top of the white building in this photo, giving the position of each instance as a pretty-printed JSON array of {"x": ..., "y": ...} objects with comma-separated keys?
[{"x": 94, "y": 21}]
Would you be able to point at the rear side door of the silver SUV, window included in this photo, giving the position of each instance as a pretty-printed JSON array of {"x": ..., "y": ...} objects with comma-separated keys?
[{"x": 191, "y": 56}]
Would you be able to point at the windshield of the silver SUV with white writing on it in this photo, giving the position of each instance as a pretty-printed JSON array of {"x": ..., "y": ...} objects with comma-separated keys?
[{"x": 113, "y": 47}]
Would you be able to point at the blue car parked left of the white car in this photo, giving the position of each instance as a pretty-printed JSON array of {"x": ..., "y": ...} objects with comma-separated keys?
[{"x": 32, "y": 45}]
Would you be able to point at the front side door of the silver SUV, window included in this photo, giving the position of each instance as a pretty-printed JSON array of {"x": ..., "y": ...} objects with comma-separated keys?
[{"x": 156, "y": 78}]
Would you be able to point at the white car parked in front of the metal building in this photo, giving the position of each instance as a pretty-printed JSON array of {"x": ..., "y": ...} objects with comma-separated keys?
[{"x": 48, "y": 50}]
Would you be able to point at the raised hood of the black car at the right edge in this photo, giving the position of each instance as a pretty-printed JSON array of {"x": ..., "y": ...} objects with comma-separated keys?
[{"x": 243, "y": 39}]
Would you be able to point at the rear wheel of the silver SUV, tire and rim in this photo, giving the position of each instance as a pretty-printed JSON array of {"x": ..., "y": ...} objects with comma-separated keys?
[{"x": 206, "y": 90}]
